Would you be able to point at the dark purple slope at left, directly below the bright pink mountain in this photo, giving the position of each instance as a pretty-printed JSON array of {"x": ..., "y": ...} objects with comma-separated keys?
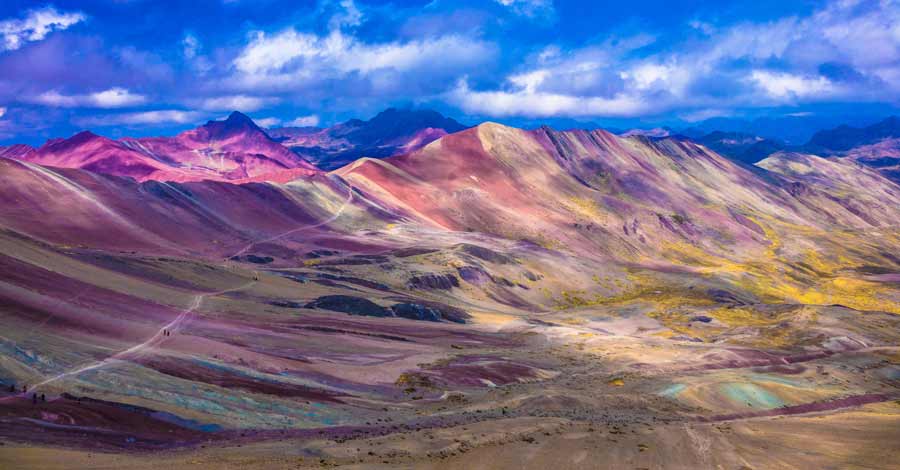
[{"x": 78, "y": 208}]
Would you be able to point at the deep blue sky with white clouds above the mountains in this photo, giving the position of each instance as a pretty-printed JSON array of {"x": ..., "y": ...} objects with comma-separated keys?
[{"x": 133, "y": 67}]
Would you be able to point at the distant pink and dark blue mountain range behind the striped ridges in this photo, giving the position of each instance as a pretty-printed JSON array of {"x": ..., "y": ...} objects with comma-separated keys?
[{"x": 236, "y": 149}]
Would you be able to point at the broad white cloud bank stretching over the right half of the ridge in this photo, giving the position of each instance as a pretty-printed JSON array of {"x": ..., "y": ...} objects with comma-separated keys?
[{"x": 848, "y": 49}]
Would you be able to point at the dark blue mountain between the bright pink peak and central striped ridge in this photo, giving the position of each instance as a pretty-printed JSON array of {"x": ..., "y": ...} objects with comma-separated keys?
[{"x": 391, "y": 132}]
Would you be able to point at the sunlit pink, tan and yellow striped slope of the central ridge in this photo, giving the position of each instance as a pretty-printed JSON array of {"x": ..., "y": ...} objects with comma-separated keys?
[{"x": 653, "y": 205}]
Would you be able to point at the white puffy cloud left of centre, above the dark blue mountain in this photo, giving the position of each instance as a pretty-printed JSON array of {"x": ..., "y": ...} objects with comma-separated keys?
[{"x": 338, "y": 64}]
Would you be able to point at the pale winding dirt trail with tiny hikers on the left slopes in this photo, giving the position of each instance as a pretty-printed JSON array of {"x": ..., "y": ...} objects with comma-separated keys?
[{"x": 176, "y": 324}]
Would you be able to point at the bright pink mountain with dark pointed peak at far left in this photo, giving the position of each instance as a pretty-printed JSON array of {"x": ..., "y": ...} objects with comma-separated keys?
[{"x": 232, "y": 149}]
